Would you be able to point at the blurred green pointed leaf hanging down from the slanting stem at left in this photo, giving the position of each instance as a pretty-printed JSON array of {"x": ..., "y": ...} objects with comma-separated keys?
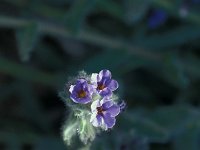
[{"x": 27, "y": 38}]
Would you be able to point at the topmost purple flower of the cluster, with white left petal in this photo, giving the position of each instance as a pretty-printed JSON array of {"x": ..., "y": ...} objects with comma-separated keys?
[{"x": 103, "y": 83}]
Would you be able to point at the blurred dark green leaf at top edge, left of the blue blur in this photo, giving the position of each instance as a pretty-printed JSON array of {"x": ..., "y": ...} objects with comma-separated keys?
[{"x": 135, "y": 10}]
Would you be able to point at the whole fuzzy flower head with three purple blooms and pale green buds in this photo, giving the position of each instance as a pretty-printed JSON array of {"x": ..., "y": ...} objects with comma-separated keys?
[{"x": 92, "y": 104}]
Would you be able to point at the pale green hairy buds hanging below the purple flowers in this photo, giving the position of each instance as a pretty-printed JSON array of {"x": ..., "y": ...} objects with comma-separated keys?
[{"x": 78, "y": 125}]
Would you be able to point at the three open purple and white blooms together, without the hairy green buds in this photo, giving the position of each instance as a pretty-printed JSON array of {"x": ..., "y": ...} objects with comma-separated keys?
[{"x": 97, "y": 90}]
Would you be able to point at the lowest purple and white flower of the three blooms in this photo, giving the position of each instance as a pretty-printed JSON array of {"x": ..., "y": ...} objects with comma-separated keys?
[{"x": 104, "y": 113}]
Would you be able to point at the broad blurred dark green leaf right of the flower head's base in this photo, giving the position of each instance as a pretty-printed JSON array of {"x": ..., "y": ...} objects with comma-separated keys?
[{"x": 161, "y": 124}]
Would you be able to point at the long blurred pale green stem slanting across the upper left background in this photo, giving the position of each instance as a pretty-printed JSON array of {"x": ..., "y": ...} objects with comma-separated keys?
[{"x": 84, "y": 35}]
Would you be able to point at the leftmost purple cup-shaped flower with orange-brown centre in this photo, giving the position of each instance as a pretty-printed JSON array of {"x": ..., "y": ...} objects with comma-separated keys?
[{"x": 81, "y": 92}]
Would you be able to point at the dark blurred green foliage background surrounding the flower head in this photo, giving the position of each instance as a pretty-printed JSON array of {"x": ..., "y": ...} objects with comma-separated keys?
[{"x": 150, "y": 46}]
